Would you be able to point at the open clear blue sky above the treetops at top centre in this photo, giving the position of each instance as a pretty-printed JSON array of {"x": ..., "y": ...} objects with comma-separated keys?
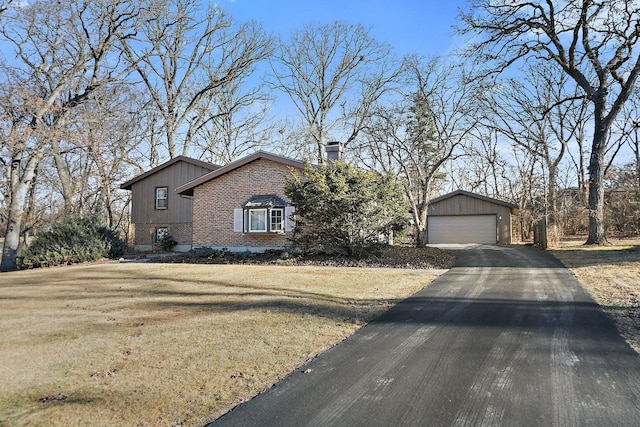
[{"x": 410, "y": 26}]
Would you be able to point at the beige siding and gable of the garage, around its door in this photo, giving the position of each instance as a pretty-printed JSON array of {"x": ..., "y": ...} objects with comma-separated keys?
[{"x": 467, "y": 205}]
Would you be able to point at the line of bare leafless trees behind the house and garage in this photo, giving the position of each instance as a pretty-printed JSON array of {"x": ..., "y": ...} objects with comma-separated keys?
[{"x": 535, "y": 108}]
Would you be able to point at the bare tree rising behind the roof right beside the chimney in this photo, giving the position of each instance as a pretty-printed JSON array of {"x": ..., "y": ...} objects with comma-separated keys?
[{"x": 333, "y": 74}]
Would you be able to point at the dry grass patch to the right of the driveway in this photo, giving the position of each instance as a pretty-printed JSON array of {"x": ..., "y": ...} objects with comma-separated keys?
[{"x": 611, "y": 274}]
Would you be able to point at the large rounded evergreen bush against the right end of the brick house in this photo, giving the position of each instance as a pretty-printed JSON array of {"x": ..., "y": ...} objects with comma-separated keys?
[{"x": 342, "y": 209}]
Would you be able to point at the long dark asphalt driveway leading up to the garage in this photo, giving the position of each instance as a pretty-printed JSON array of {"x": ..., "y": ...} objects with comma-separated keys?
[{"x": 507, "y": 337}]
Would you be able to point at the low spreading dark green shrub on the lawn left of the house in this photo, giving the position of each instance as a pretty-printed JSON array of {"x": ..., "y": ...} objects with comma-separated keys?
[{"x": 72, "y": 241}]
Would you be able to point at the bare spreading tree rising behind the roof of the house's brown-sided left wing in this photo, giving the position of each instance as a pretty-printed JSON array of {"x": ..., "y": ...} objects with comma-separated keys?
[{"x": 184, "y": 56}]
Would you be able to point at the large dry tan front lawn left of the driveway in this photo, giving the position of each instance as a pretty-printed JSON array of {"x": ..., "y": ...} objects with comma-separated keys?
[{"x": 166, "y": 344}]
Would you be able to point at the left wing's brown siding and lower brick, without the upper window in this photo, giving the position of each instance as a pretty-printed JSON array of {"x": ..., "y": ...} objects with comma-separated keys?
[{"x": 178, "y": 215}]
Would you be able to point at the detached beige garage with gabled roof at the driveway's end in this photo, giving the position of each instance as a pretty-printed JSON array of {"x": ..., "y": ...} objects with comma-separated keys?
[{"x": 464, "y": 217}]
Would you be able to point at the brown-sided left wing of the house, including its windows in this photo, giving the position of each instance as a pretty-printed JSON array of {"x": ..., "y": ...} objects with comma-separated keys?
[{"x": 156, "y": 209}]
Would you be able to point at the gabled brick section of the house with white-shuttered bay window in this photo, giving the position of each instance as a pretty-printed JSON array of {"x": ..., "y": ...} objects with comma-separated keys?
[{"x": 242, "y": 206}]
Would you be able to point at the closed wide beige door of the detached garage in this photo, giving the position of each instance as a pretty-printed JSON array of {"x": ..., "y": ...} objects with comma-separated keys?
[{"x": 462, "y": 229}]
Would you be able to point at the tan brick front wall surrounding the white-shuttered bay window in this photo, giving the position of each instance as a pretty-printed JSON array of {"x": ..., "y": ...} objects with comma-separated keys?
[{"x": 214, "y": 202}]
